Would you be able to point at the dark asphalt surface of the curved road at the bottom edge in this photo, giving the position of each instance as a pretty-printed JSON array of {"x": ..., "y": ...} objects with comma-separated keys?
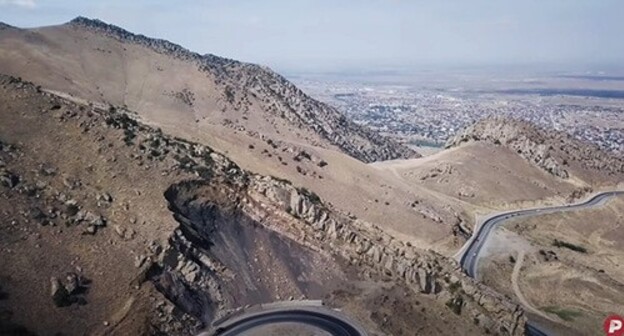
[{"x": 331, "y": 324}]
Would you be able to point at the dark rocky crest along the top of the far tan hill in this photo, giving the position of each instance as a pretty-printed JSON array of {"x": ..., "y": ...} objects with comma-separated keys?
[{"x": 279, "y": 96}]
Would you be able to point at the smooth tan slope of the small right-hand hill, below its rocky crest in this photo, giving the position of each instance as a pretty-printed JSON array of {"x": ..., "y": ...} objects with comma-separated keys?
[{"x": 481, "y": 173}]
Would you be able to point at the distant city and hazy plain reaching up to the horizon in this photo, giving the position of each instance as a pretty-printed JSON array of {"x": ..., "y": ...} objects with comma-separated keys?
[{"x": 424, "y": 116}]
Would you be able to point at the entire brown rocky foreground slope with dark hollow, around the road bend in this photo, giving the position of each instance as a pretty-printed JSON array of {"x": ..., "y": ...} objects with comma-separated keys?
[{"x": 87, "y": 196}]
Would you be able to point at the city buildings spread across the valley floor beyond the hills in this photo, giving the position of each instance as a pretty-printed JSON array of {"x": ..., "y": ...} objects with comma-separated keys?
[{"x": 429, "y": 117}]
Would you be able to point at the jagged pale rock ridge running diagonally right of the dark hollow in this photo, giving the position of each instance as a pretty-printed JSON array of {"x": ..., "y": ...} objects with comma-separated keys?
[{"x": 375, "y": 252}]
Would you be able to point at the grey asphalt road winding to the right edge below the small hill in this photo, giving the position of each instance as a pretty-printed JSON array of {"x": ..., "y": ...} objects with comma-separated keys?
[{"x": 469, "y": 260}]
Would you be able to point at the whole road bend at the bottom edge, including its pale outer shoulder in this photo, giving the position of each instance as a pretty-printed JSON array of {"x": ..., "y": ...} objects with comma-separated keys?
[{"x": 327, "y": 320}]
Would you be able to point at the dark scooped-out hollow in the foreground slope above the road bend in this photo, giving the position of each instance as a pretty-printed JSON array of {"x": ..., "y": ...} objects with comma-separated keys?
[{"x": 215, "y": 261}]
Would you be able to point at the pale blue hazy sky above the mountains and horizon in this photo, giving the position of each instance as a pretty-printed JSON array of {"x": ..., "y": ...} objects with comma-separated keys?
[{"x": 333, "y": 34}]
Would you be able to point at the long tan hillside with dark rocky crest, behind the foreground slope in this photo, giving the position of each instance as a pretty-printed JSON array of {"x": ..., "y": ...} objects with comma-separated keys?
[{"x": 254, "y": 116}]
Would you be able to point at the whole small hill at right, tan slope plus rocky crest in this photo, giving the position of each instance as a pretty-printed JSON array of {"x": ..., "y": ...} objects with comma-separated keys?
[{"x": 501, "y": 163}]
